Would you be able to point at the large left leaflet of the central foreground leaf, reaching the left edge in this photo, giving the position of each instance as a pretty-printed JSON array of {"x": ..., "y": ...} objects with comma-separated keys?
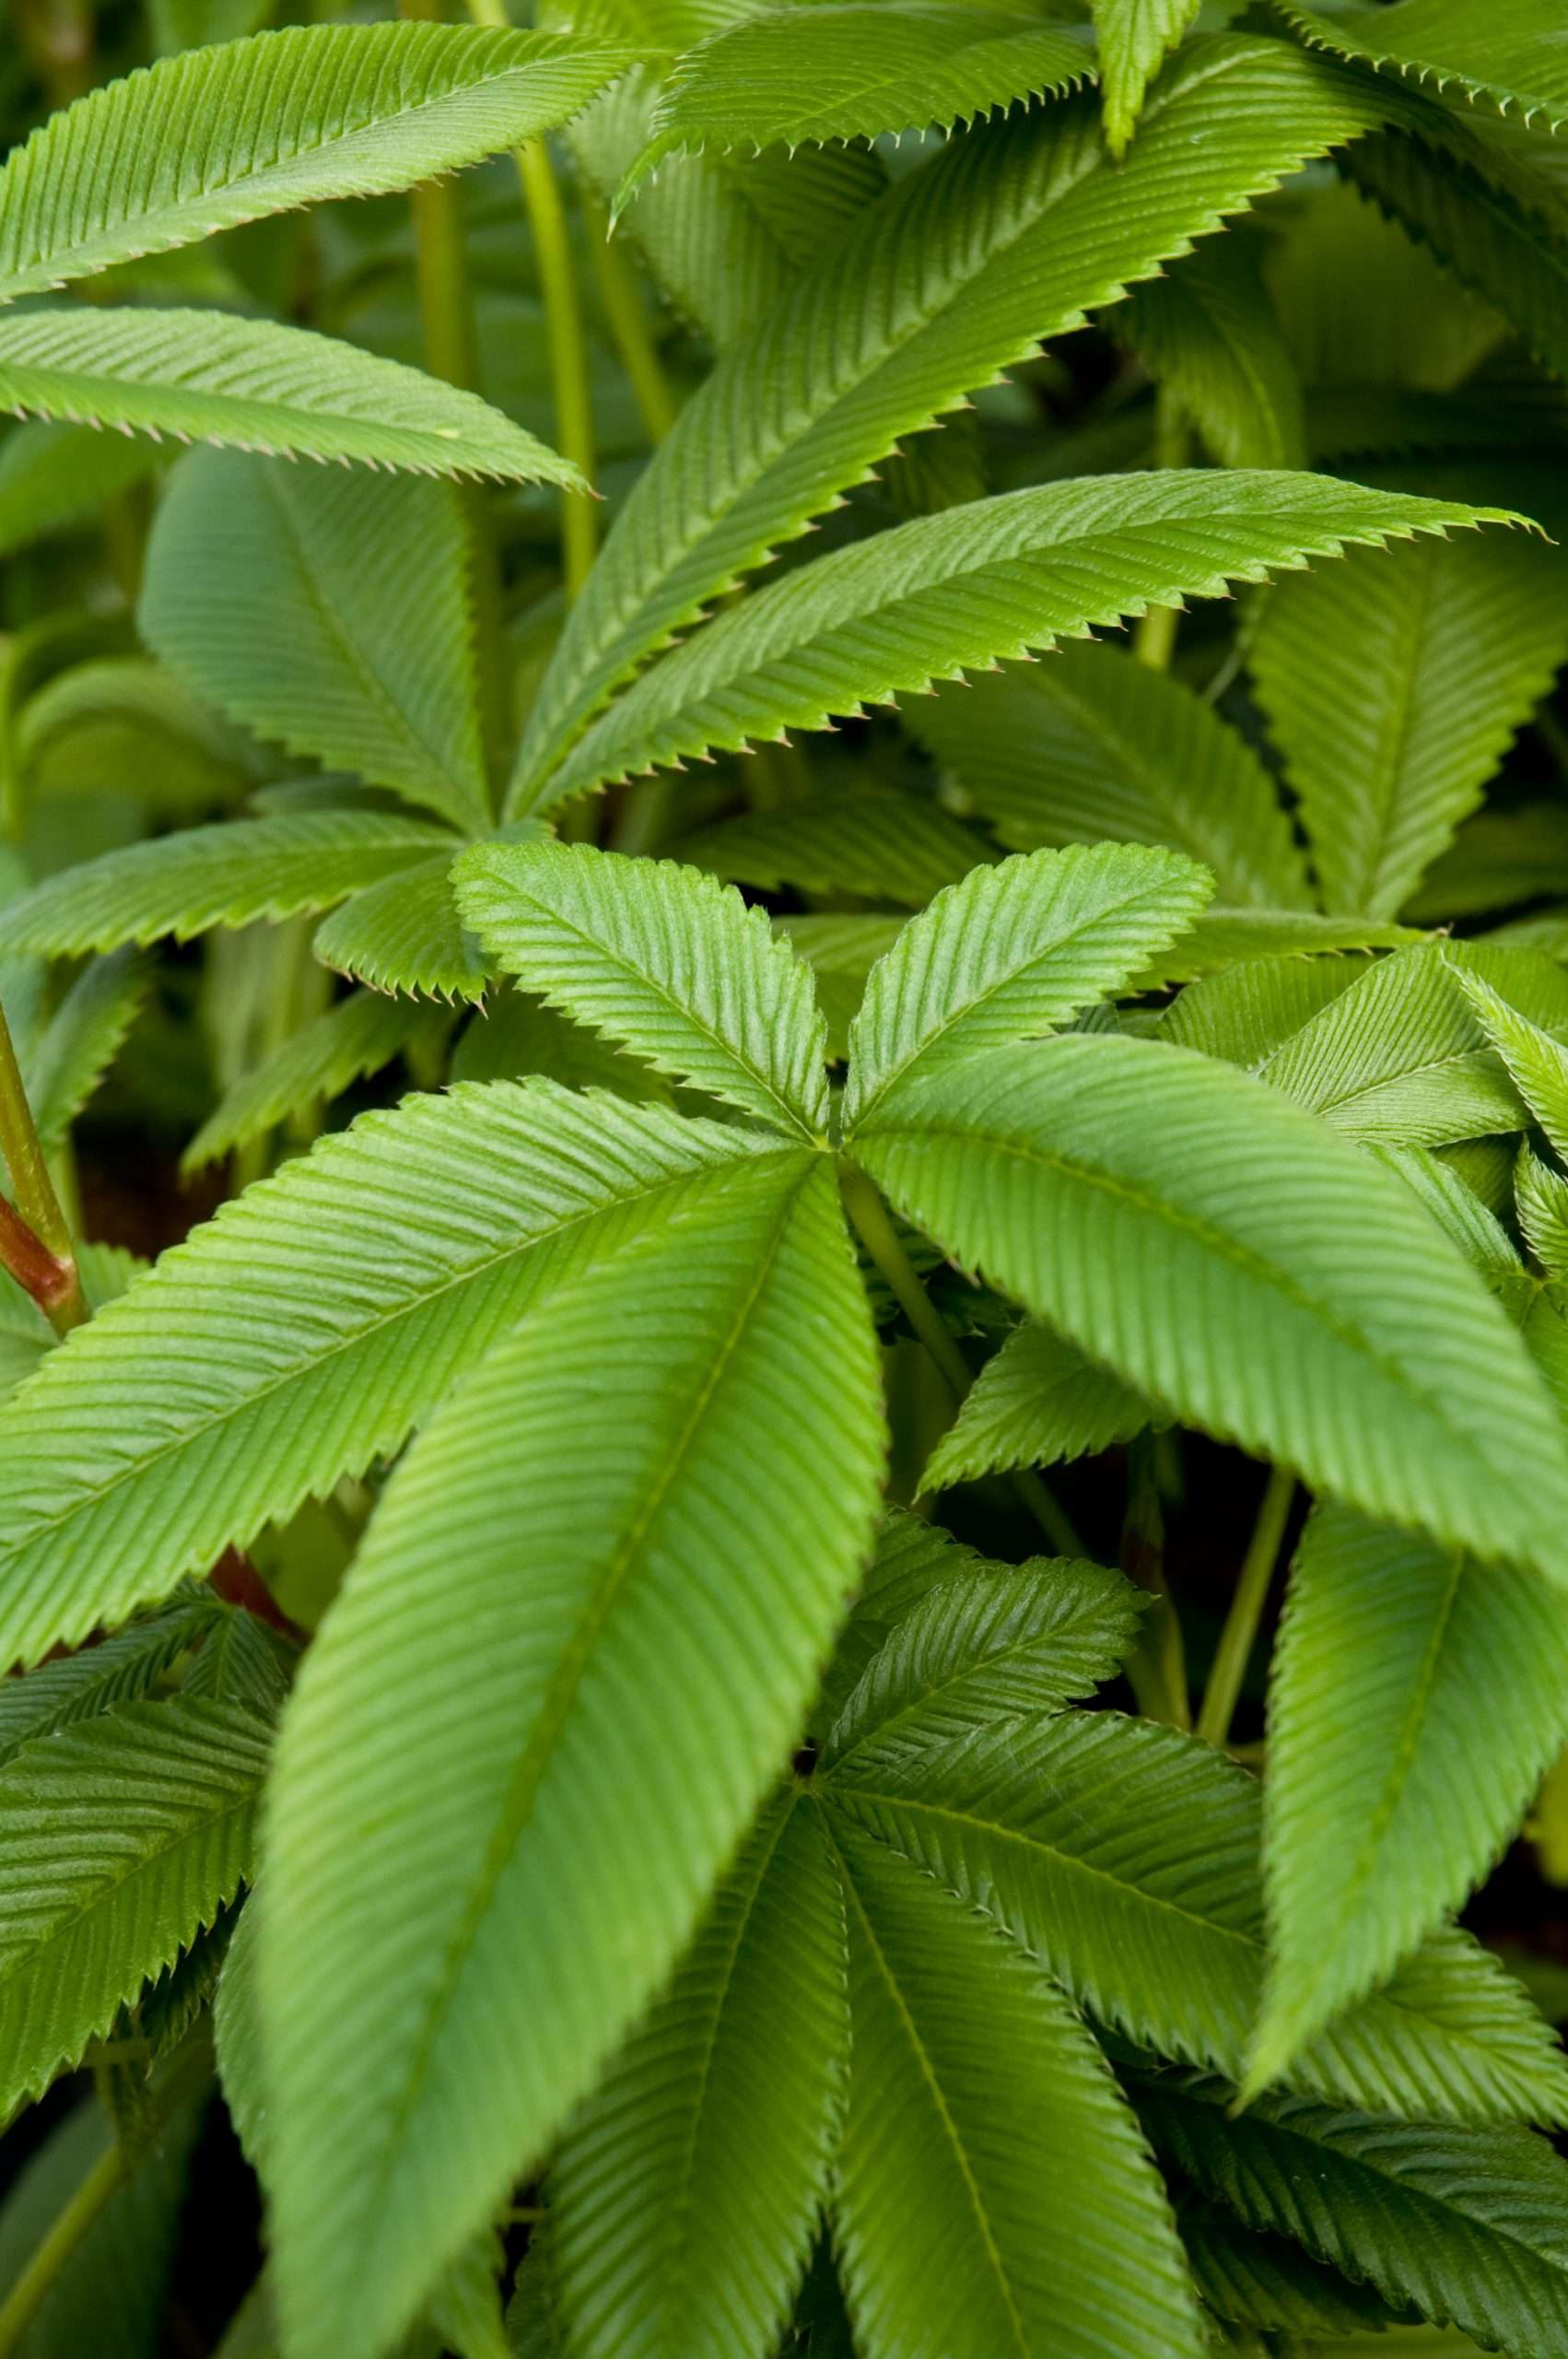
[{"x": 308, "y": 1329}]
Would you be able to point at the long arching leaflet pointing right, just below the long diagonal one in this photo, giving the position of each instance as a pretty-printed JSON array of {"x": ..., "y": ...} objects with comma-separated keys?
[{"x": 970, "y": 589}]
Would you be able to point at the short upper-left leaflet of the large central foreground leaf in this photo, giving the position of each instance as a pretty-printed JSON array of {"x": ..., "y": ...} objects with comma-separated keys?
[{"x": 664, "y": 961}]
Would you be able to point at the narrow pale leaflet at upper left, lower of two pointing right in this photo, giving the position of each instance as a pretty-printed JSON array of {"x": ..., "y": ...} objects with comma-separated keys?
[{"x": 209, "y": 376}]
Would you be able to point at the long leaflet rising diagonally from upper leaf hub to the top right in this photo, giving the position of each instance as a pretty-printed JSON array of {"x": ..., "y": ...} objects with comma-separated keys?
[{"x": 1010, "y": 237}]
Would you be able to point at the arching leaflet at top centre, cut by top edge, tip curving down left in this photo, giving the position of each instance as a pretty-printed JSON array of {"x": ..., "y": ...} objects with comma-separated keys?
[{"x": 869, "y": 70}]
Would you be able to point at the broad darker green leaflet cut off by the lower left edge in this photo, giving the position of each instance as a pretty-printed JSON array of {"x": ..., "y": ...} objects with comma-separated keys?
[{"x": 121, "y": 1839}]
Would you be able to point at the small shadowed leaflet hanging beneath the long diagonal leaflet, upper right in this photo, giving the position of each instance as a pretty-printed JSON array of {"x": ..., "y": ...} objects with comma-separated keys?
[{"x": 1211, "y": 339}]
